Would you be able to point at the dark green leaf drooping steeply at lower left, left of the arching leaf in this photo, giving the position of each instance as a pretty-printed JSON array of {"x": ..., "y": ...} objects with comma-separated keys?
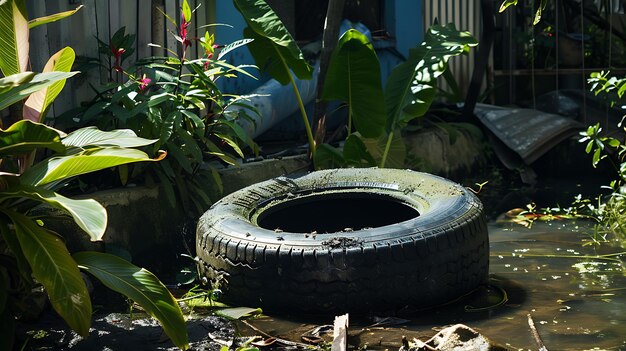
[{"x": 55, "y": 269}]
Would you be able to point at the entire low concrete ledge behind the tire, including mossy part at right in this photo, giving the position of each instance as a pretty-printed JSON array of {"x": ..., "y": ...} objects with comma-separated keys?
[{"x": 142, "y": 225}]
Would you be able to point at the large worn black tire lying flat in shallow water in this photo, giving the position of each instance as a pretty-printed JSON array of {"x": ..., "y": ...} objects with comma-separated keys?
[{"x": 346, "y": 240}]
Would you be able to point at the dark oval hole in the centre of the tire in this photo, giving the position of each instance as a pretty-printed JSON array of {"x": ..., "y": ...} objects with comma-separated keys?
[{"x": 334, "y": 212}]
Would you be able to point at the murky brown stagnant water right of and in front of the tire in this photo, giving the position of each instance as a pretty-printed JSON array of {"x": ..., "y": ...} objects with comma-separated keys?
[{"x": 575, "y": 293}]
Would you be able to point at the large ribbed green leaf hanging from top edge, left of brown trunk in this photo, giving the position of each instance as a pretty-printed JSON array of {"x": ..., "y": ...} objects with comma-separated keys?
[{"x": 273, "y": 48}]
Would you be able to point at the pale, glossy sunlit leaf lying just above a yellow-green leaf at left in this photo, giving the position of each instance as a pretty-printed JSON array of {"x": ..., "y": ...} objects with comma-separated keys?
[{"x": 92, "y": 136}]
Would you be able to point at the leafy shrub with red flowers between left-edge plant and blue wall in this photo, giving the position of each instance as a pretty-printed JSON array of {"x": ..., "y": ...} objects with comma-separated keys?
[{"x": 176, "y": 101}]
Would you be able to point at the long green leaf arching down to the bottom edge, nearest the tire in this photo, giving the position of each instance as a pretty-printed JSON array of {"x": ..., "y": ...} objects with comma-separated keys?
[{"x": 140, "y": 286}]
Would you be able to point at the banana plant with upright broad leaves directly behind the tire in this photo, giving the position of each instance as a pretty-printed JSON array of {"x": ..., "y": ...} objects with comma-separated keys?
[{"x": 379, "y": 115}]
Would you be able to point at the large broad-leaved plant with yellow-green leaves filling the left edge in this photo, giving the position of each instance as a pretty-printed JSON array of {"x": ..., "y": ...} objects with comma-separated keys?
[{"x": 31, "y": 253}]
